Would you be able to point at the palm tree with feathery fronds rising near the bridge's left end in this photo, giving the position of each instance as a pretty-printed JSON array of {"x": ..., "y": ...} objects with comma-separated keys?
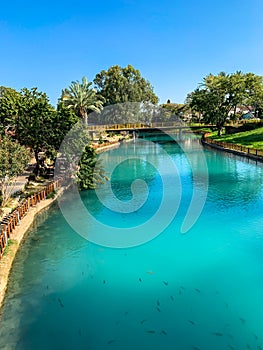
[{"x": 82, "y": 99}]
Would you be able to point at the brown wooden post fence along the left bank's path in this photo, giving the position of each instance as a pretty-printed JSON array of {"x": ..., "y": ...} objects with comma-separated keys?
[{"x": 9, "y": 223}]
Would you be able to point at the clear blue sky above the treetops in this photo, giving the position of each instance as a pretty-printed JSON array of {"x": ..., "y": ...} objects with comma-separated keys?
[{"x": 175, "y": 44}]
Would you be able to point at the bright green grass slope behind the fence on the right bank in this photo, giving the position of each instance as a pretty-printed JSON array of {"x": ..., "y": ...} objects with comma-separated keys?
[{"x": 250, "y": 139}]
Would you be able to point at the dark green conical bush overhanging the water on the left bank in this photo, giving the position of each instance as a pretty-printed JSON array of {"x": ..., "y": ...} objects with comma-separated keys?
[{"x": 90, "y": 173}]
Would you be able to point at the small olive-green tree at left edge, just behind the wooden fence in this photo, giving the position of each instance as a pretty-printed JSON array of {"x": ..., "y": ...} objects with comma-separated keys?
[{"x": 13, "y": 161}]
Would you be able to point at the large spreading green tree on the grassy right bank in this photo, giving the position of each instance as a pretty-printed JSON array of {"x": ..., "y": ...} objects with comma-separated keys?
[{"x": 224, "y": 93}]
